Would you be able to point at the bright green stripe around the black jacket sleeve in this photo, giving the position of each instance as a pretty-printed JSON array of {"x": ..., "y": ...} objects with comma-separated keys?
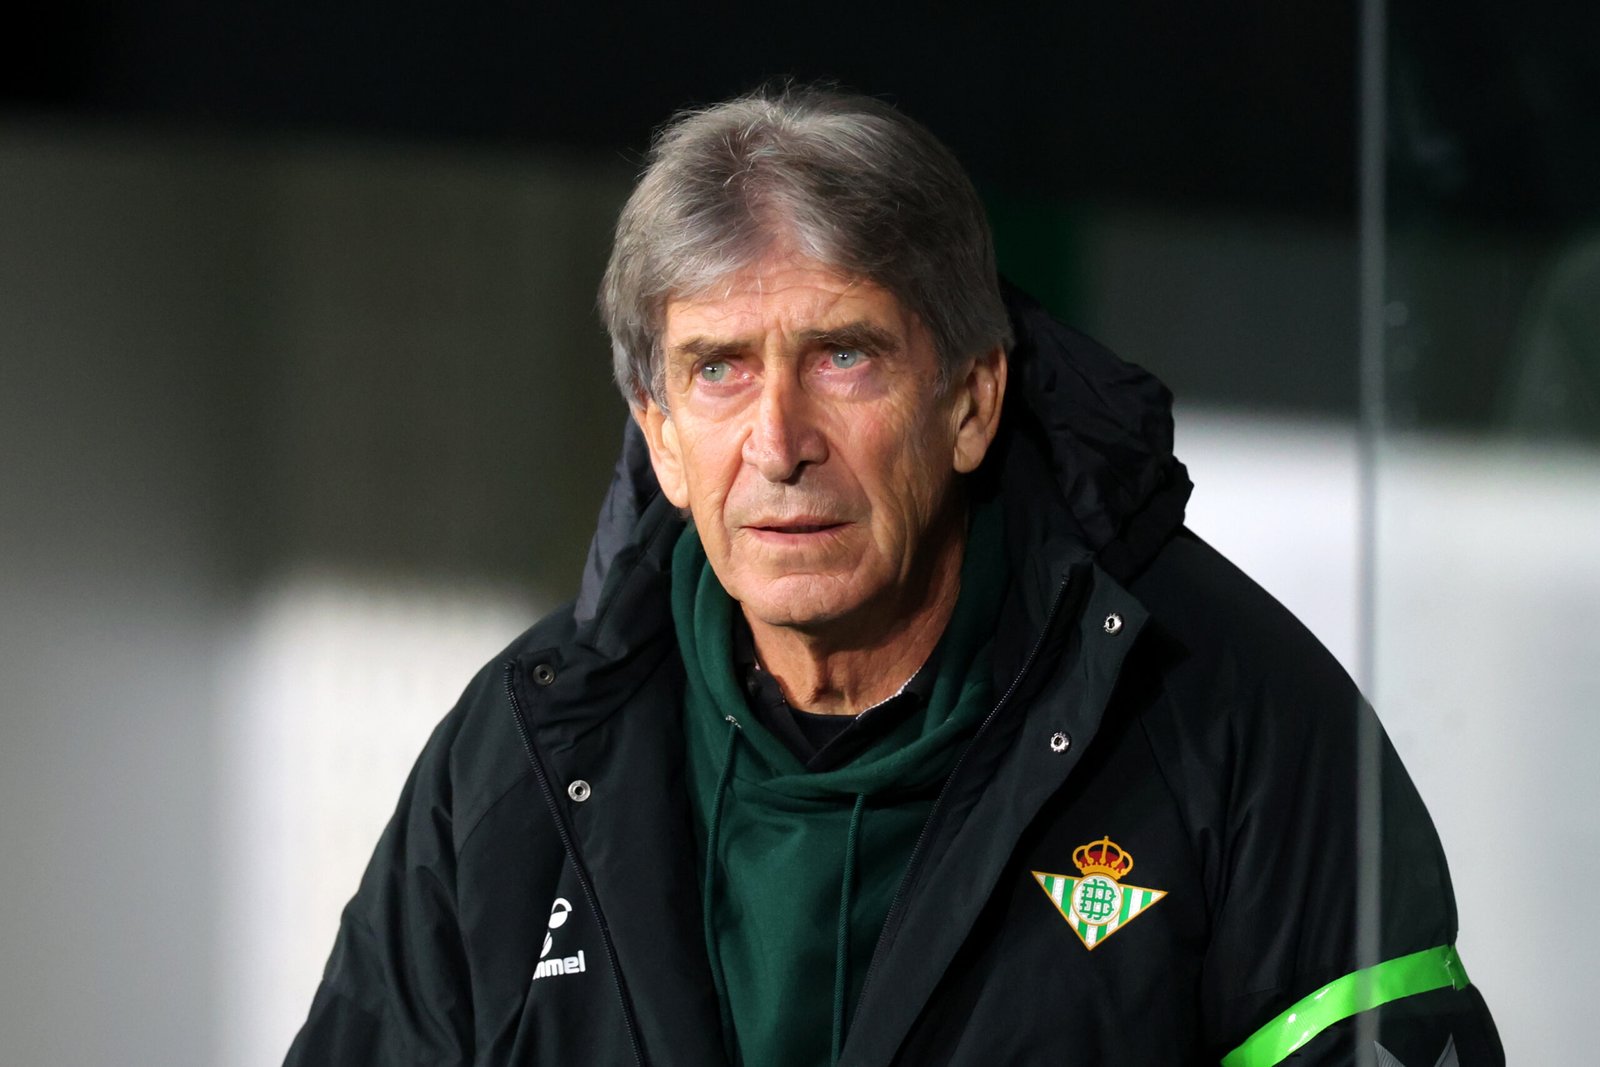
[{"x": 1356, "y": 993}]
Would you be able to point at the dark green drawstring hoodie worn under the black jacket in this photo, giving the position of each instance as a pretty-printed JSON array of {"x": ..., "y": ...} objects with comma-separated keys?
[{"x": 801, "y": 866}]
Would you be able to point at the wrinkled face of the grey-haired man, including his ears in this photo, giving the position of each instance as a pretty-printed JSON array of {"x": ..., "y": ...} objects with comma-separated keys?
[{"x": 809, "y": 438}]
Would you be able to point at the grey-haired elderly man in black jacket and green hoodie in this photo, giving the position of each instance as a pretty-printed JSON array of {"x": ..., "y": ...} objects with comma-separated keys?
[{"x": 900, "y": 719}]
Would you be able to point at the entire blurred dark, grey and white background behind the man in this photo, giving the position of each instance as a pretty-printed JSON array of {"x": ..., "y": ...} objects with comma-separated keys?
[{"x": 305, "y": 414}]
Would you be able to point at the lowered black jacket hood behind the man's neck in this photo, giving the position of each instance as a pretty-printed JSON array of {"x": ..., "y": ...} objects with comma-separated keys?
[{"x": 1084, "y": 460}]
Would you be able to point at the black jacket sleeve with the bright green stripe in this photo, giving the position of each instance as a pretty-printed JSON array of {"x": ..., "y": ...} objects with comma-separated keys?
[{"x": 1337, "y": 924}]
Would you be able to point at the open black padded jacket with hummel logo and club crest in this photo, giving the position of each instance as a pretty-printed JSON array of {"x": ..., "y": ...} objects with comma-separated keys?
[{"x": 535, "y": 898}]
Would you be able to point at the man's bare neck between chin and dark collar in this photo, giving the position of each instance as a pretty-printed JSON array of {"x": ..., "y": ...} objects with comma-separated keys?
[{"x": 846, "y": 674}]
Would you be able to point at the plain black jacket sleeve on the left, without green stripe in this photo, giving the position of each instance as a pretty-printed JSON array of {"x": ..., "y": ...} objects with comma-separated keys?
[{"x": 396, "y": 989}]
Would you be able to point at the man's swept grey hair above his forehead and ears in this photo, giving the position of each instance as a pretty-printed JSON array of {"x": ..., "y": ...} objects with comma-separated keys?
[{"x": 849, "y": 180}]
